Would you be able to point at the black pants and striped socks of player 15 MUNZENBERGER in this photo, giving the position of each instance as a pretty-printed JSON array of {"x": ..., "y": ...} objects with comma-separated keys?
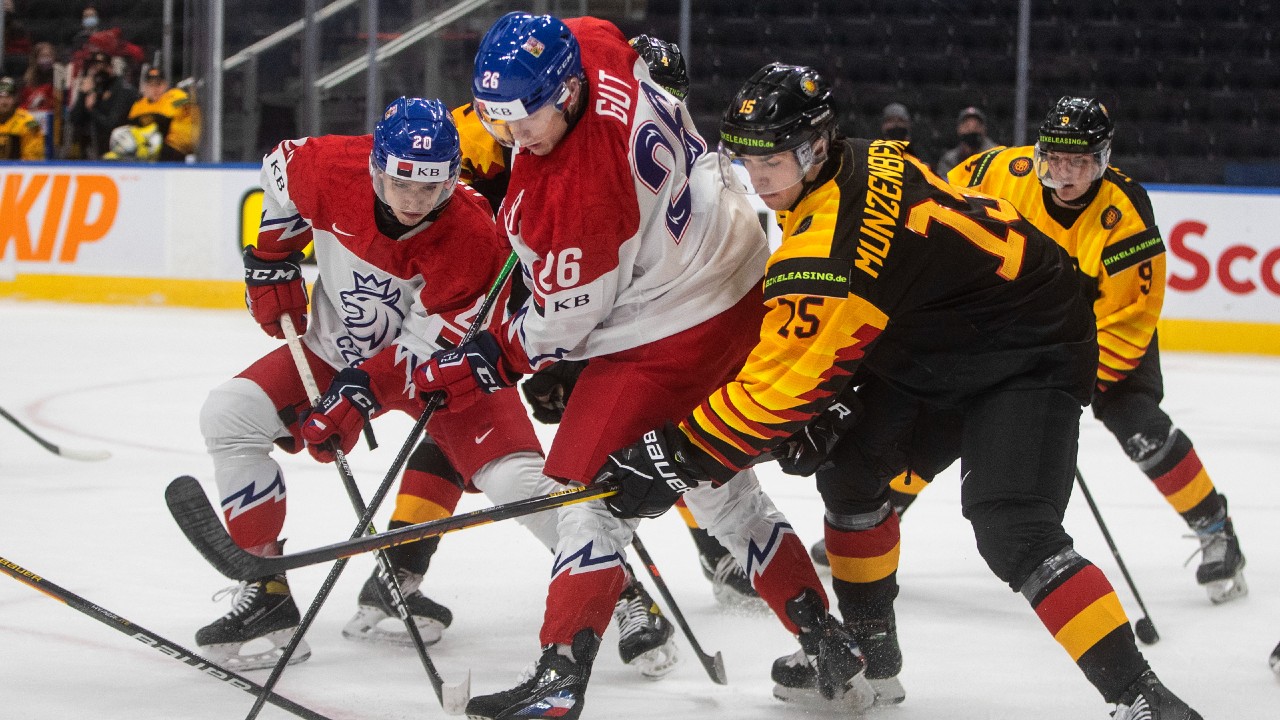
[{"x": 1017, "y": 453}]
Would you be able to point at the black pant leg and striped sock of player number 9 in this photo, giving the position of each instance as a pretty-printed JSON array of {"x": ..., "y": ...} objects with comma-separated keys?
[{"x": 1131, "y": 411}]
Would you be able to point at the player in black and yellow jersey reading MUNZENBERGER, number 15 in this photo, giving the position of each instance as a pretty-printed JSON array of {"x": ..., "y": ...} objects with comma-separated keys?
[{"x": 948, "y": 303}]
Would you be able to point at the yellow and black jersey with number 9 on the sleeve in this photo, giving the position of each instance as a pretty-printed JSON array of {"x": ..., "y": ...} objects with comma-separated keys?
[{"x": 1114, "y": 240}]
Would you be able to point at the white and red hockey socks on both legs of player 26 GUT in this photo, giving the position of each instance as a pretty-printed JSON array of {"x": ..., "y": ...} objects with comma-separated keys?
[{"x": 588, "y": 573}]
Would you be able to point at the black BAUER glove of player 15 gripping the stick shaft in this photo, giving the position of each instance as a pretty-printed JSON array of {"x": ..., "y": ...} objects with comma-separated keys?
[{"x": 655, "y": 473}]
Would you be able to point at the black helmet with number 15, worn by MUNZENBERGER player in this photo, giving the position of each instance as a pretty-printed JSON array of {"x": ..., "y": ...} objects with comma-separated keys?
[{"x": 781, "y": 108}]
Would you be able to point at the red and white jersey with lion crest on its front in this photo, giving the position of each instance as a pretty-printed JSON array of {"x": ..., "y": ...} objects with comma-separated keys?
[{"x": 396, "y": 299}]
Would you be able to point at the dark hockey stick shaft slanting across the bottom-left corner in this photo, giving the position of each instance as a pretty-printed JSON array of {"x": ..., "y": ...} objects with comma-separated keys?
[{"x": 152, "y": 640}]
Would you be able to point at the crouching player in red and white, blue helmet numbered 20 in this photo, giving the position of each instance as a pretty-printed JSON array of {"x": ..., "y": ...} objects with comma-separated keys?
[{"x": 403, "y": 270}]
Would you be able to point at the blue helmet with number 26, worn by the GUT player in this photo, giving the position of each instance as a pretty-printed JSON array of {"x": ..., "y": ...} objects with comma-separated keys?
[{"x": 523, "y": 63}]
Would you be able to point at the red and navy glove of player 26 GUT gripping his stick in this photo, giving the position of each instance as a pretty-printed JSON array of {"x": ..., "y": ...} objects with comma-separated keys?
[{"x": 461, "y": 372}]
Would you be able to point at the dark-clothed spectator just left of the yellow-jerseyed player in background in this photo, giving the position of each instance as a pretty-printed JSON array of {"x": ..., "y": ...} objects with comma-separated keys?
[{"x": 102, "y": 104}]
